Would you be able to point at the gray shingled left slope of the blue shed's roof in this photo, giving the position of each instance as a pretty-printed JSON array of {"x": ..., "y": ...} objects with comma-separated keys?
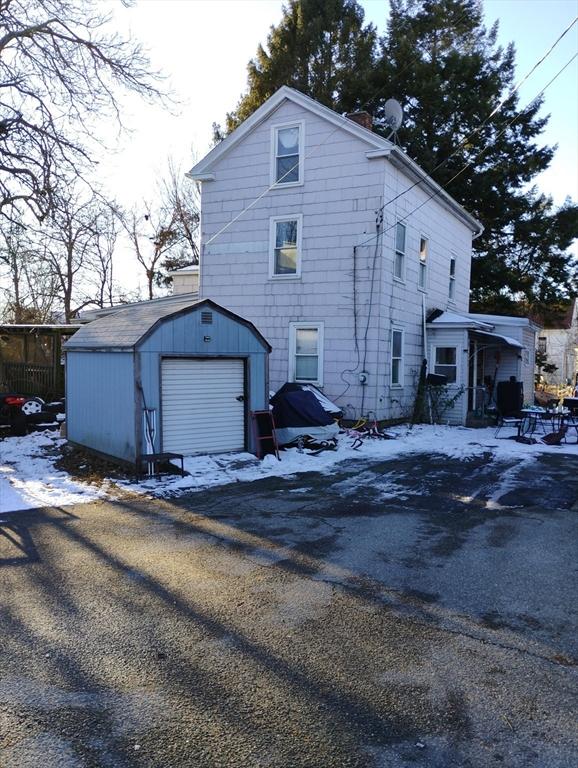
[{"x": 124, "y": 328}]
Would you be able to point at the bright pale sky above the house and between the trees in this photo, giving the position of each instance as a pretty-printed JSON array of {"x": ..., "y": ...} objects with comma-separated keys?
[{"x": 203, "y": 47}]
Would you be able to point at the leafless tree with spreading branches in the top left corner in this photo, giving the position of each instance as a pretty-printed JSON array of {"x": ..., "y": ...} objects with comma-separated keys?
[{"x": 60, "y": 70}]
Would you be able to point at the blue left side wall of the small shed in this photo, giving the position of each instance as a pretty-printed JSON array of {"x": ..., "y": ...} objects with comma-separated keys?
[{"x": 100, "y": 402}]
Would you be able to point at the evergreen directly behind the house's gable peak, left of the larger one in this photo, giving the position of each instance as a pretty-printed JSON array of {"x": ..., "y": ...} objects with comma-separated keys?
[{"x": 321, "y": 48}]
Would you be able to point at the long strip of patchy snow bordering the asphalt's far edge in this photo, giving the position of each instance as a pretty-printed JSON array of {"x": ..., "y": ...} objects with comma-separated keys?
[{"x": 29, "y": 478}]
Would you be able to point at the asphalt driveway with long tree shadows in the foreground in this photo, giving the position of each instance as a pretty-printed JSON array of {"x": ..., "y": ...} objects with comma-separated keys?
[{"x": 416, "y": 612}]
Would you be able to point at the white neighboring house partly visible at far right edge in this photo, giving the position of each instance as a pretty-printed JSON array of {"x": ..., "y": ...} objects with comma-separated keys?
[{"x": 558, "y": 340}]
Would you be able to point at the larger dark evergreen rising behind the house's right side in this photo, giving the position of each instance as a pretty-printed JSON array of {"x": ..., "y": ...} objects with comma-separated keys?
[{"x": 447, "y": 70}]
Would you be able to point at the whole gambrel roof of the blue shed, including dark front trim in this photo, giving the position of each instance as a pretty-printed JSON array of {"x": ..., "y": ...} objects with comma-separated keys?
[{"x": 124, "y": 329}]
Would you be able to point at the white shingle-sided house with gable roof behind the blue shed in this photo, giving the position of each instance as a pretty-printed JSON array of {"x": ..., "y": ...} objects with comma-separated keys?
[{"x": 338, "y": 246}]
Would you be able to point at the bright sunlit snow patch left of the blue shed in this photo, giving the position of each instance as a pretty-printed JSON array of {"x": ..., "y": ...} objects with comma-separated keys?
[{"x": 29, "y": 479}]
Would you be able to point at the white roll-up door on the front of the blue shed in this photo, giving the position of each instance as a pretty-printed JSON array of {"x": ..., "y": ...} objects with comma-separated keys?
[{"x": 201, "y": 409}]
